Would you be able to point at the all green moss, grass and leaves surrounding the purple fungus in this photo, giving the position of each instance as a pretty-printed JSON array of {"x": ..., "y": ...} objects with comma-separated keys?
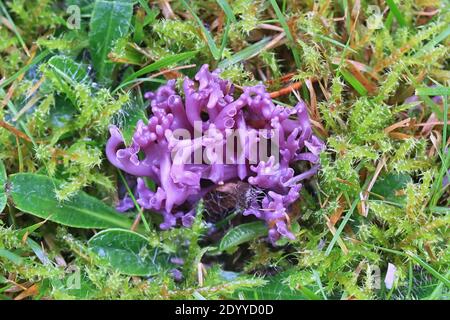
[{"x": 379, "y": 207}]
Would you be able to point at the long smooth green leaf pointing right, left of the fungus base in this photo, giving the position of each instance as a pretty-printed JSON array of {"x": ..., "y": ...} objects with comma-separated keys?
[{"x": 35, "y": 194}]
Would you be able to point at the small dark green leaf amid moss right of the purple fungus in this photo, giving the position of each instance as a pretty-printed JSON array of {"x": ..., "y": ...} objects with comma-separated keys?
[{"x": 389, "y": 184}]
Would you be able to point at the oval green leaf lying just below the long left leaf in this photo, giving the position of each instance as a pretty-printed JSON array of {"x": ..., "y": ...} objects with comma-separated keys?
[{"x": 129, "y": 252}]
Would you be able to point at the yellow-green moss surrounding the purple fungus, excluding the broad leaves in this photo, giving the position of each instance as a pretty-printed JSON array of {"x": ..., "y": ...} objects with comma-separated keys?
[{"x": 63, "y": 132}]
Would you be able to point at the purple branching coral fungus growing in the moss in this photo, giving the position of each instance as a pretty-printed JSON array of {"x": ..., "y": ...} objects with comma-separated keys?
[{"x": 209, "y": 114}]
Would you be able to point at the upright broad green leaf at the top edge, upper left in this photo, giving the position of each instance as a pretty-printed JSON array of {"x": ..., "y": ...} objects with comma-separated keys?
[{"x": 110, "y": 21}]
